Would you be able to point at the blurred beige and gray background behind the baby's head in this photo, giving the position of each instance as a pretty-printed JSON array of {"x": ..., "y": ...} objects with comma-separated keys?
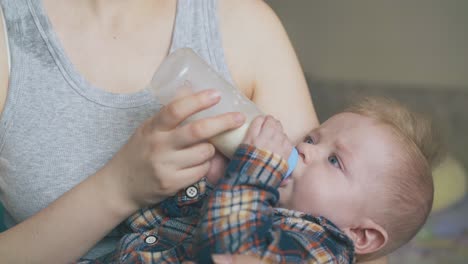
[{"x": 415, "y": 51}]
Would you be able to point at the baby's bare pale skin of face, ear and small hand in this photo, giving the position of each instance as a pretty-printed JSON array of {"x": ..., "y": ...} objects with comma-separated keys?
[{"x": 337, "y": 166}]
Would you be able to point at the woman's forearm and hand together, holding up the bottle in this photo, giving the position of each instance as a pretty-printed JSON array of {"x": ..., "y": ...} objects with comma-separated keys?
[{"x": 161, "y": 157}]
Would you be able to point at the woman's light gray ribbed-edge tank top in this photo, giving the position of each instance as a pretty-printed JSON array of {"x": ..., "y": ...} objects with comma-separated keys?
[{"x": 56, "y": 128}]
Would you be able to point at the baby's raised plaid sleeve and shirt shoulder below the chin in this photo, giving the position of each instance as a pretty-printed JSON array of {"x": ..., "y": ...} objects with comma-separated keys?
[{"x": 239, "y": 217}]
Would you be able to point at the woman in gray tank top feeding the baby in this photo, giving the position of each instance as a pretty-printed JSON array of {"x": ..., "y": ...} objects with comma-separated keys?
[{"x": 81, "y": 145}]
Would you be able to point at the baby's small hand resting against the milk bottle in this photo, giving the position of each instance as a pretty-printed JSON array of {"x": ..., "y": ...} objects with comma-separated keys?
[{"x": 265, "y": 132}]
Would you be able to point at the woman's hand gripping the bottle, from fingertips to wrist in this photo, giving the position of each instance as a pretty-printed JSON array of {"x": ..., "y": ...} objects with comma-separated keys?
[{"x": 163, "y": 156}]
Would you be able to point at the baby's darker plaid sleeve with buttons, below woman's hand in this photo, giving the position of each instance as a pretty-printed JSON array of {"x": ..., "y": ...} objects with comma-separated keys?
[{"x": 162, "y": 233}]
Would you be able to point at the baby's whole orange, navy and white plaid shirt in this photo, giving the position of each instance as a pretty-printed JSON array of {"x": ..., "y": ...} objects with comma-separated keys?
[{"x": 238, "y": 218}]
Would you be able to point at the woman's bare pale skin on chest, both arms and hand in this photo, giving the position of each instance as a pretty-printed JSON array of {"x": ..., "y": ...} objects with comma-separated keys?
[{"x": 265, "y": 69}]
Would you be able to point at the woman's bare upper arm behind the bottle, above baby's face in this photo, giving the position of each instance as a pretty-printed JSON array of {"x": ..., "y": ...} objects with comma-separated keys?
[{"x": 264, "y": 65}]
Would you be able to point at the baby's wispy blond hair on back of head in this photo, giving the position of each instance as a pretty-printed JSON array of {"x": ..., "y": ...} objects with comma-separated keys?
[{"x": 409, "y": 186}]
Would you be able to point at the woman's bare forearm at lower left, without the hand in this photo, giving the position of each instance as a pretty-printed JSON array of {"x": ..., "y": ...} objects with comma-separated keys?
[{"x": 67, "y": 228}]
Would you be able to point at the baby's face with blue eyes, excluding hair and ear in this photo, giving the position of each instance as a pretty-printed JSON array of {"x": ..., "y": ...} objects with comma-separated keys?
[{"x": 339, "y": 163}]
